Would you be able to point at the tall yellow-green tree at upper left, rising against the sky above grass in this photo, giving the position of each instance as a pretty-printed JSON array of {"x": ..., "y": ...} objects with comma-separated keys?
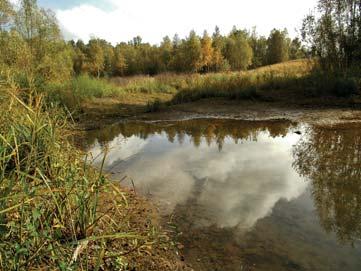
[{"x": 35, "y": 32}]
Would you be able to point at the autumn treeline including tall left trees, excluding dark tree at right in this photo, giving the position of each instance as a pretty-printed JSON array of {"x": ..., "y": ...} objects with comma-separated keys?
[{"x": 30, "y": 39}]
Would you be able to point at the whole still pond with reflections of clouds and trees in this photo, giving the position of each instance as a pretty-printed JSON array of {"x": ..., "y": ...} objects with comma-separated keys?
[{"x": 247, "y": 195}]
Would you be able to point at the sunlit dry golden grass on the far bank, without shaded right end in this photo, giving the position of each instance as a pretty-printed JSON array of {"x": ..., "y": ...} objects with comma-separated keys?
[{"x": 132, "y": 95}]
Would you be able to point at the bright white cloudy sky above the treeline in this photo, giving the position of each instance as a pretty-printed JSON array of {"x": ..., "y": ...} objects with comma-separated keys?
[{"x": 121, "y": 20}]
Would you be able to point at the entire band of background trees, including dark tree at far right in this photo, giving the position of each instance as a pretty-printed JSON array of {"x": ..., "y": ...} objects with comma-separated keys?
[{"x": 31, "y": 45}]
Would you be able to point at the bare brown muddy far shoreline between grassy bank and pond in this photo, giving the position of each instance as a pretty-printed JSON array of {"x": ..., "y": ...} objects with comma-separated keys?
[{"x": 240, "y": 110}]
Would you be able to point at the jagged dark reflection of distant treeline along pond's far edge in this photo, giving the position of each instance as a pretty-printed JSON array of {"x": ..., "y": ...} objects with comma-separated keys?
[{"x": 212, "y": 131}]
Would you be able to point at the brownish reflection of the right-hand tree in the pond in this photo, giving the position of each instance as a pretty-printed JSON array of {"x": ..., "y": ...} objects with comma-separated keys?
[{"x": 331, "y": 159}]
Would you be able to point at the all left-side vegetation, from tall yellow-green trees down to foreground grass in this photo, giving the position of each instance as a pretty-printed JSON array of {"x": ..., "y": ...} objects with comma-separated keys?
[{"x": 56, "y": 211}]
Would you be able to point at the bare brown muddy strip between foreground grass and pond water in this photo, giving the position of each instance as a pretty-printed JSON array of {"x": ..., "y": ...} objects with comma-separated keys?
[{"x": 160, "y": 253}]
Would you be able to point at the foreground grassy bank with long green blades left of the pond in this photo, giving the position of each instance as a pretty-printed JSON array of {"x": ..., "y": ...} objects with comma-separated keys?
[{"x": 56, "y": 211}]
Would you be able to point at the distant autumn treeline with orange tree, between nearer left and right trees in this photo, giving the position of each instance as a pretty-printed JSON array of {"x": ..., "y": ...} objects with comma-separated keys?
[{"x": 240, "y": 50}]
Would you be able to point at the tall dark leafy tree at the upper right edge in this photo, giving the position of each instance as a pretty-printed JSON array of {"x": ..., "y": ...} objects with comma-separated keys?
[{"x": 333, "y": 32}]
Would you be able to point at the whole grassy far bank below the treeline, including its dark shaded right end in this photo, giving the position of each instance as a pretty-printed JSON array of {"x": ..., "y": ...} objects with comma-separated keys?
[{"x": 291, "y": 81}]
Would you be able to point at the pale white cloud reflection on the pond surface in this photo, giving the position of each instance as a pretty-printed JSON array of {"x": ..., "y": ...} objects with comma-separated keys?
[{"x": 236, "y": 186}]
